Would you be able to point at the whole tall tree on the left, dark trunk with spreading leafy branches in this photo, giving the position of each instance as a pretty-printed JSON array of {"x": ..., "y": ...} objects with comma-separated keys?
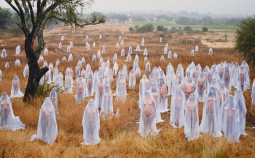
[{"x": 34, "y": 15}]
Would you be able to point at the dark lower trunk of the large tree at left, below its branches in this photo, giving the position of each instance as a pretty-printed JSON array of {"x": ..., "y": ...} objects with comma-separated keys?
[{"x": 35, "y": 73}]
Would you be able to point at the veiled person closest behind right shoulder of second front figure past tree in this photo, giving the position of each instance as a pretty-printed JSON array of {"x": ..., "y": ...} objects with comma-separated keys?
[{"x": 107, "y": 101}]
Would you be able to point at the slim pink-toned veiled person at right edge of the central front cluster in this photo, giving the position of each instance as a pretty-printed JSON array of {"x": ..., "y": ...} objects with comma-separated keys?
[{"x": 163, "y": 100}]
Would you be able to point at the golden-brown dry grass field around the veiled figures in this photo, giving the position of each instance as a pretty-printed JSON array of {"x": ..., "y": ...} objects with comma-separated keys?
[{"x": 119, "y": 137}]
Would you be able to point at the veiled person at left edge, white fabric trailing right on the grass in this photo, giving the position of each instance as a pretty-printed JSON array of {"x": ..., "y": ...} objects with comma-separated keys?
[{"x": 7, "y": 118}]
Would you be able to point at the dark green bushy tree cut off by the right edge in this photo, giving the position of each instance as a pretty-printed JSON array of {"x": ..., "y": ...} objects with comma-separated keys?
[{"x": 245, "y": 38}]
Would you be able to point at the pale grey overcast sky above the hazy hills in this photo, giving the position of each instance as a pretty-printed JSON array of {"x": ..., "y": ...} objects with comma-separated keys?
[{"x": 235, "y": 7}]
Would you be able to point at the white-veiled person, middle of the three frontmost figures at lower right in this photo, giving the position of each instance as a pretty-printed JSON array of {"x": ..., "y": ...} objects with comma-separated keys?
[{"x": 211, "y": 121}]
